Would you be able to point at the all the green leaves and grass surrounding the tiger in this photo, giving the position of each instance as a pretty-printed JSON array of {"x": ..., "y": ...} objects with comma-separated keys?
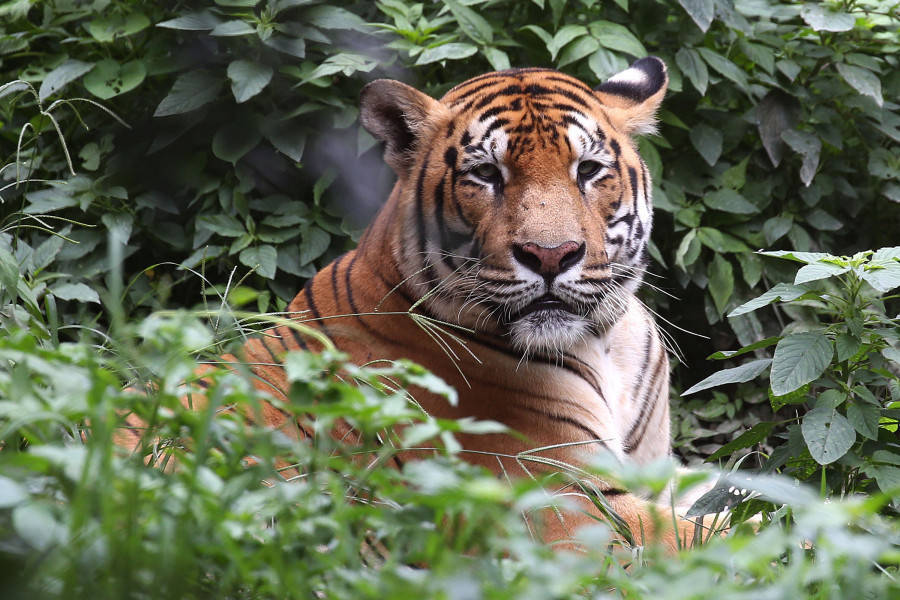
[{"x": 160, "y": 161}]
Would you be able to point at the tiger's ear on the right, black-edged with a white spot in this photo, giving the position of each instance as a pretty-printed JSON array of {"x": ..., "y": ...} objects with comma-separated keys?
[{"x": 634, "y": 95}]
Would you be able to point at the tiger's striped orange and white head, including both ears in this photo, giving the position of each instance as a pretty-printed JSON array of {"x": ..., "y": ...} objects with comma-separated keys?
[{"x": 522, "y": 207}]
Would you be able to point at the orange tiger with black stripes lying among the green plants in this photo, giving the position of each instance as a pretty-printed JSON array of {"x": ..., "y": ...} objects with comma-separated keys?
[{"x": 520, "y": 216}]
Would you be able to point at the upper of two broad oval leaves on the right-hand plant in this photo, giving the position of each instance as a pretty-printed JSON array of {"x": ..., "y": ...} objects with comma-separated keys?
[{"x": 799, "y": 358}]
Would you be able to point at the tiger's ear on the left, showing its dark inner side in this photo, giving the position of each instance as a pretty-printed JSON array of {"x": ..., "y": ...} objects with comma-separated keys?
[{"x": 400, "y": 116}]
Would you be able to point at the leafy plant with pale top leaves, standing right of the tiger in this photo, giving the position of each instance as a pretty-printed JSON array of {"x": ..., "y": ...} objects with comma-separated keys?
[{"x": 839, "y": 359}]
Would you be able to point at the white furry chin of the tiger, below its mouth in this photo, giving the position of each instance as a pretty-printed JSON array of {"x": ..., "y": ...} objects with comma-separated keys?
[{"x": 548, "y": 331}]
